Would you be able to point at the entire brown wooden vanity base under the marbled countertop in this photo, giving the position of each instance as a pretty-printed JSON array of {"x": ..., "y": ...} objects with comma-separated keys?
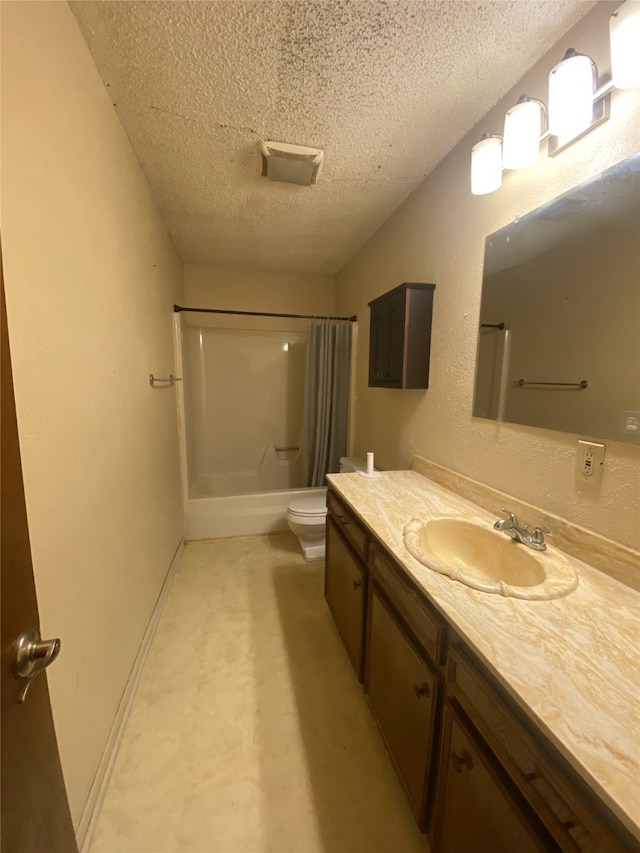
[{"x": 479, "y": 775}]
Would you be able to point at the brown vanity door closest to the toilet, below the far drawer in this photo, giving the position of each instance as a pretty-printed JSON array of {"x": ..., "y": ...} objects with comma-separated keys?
[{"x": 344, "y": 588}]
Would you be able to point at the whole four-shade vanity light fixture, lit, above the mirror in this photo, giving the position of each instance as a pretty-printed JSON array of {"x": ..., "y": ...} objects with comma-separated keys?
[{"x": 578, "y": 102}]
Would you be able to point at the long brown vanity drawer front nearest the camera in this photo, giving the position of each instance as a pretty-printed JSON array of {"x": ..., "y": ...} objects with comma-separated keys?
[{"x": 562, "y": 801}]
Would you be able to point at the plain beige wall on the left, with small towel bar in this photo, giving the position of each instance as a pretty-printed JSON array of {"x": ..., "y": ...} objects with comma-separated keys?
[{"x": 91, "y": 275}]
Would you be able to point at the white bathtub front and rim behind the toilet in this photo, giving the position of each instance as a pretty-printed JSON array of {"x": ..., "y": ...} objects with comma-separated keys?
[{"x": 239, "y": 515}]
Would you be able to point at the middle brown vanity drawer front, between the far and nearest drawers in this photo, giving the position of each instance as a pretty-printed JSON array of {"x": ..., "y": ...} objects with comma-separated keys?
[{"x": 426, "y": 626}]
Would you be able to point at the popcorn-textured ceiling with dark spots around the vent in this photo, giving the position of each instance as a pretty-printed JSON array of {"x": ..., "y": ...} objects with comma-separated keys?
[{"x": 385, "y": 88}]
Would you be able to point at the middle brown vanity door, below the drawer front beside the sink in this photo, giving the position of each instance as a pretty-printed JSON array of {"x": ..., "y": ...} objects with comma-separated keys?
[{"x": 402, "y": 690}]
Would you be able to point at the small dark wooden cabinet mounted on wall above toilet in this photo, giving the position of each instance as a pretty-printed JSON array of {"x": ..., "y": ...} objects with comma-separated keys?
[{"x": 400, "y": 337}]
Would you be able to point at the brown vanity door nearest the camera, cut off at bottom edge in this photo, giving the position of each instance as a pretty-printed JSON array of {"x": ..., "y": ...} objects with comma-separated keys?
[{"x": 476, "y": 813}]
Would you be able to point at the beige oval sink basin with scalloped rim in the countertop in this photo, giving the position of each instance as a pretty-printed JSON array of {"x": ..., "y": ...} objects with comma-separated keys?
[{"x": 488, "y": 560}]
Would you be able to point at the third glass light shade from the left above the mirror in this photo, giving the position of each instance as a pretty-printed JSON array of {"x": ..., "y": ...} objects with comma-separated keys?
[{"x": 571, "y": 88}]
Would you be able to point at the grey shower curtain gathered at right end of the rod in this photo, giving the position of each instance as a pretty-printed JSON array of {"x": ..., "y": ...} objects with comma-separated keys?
[{"x": 326, "y": 404}]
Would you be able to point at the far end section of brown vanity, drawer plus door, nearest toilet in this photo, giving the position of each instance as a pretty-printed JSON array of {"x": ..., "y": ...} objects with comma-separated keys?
[{"x": 345, "y": 579}]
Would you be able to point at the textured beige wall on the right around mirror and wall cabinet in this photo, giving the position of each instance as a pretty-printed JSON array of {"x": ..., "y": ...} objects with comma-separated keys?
[{"x": 438, "y": 236}]
